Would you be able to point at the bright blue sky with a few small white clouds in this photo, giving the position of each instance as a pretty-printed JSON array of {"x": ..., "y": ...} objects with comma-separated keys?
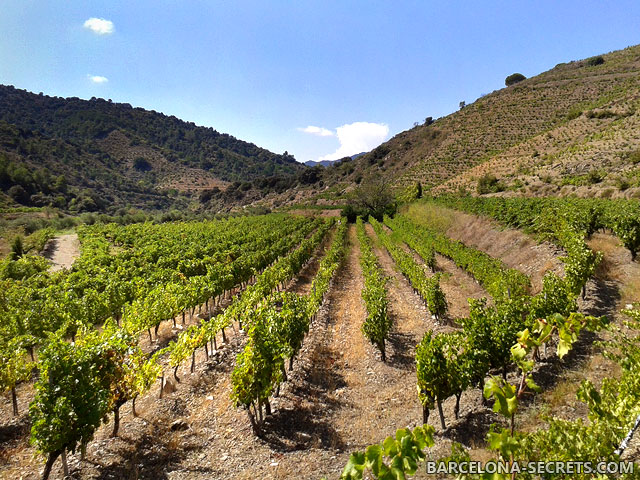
[{"x": 357, "y": 72}]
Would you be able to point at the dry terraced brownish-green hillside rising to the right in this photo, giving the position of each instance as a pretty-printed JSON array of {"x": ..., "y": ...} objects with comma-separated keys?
[{"x": 570, "y": 130}]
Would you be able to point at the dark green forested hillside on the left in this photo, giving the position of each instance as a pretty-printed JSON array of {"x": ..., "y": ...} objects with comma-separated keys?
[{"x": 94, "y": 155}]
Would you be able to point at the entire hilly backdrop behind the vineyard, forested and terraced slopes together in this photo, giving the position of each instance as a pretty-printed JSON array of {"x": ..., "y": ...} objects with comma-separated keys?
[{"x": 570, "y": 130}]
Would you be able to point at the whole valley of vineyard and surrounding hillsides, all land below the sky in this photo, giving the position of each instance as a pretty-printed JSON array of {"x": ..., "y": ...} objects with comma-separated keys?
[{"x": 181, "y": 304}]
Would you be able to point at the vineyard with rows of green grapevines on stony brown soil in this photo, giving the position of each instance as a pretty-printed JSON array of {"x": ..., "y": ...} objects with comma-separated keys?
[{"x": 284, "y": 346}]
